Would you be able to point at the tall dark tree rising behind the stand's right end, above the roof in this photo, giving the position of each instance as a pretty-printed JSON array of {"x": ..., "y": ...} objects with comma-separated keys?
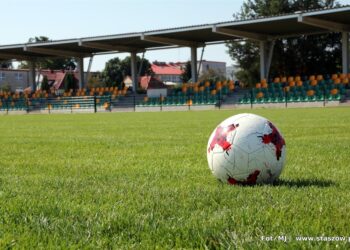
[{"x": 303, "y": 55}]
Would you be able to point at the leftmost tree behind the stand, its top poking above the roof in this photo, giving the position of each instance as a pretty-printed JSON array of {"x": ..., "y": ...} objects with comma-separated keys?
[{"x": 49, "y": 63}]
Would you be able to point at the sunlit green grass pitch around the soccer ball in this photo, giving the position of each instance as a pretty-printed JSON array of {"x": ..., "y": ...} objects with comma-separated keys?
[{"x": 141, "y": 180}]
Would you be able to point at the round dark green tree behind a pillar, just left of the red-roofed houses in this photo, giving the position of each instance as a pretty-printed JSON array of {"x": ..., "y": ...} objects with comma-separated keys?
[{"x": 116, "y": 70}]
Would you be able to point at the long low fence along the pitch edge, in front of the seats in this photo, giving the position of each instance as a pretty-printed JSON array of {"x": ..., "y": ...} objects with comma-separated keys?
[{"x": 108, "y": 103}]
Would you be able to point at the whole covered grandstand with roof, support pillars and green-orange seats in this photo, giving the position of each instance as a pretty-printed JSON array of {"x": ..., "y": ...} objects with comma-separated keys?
[{"x": 279, "y": 90}]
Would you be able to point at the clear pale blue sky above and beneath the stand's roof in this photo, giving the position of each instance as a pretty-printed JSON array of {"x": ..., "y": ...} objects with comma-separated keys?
[{"x": 66, "y": 19}]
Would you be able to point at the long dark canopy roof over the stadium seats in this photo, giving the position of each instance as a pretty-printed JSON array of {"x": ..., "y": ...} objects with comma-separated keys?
[{"x": 260, "y": 29}]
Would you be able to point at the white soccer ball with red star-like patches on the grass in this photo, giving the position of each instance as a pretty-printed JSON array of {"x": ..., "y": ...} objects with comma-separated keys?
[{"x": 246, "y": 149}]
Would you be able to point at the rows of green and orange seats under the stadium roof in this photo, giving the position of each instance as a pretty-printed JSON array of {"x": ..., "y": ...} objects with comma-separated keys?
[{"x": 281, "y": 91}]
